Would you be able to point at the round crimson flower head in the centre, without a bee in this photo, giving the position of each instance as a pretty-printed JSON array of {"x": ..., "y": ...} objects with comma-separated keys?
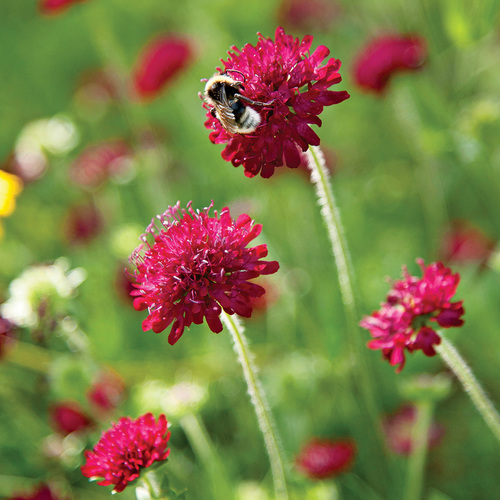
[{"x": 197, "y": 266}]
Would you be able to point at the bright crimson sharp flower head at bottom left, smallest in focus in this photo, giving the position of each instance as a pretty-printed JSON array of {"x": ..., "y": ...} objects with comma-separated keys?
[{"x": 127, "y": 448}]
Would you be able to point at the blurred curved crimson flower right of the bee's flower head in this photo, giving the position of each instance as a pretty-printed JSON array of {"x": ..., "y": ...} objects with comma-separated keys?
[{"x": 386, "y": 56}]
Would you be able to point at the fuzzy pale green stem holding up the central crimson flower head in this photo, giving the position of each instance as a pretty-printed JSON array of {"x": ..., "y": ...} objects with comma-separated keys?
[{"x": 257, "y": 397}]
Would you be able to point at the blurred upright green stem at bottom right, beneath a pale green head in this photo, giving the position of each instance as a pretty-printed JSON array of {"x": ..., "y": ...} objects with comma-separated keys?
[{"x": 416, "y": 461}]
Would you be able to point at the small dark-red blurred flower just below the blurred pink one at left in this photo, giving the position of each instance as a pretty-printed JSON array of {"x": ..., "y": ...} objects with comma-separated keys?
[{"x": 82, "y": 224}]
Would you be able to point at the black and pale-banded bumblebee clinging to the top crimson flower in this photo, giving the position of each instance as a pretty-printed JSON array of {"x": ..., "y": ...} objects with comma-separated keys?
[{"x": 222, "y": 93}]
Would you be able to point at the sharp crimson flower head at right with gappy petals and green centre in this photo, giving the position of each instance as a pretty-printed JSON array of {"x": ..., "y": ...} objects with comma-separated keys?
[{"x": 404, "y": 321}]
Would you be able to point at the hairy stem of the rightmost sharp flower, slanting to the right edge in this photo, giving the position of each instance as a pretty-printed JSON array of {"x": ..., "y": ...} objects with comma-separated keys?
[{"x": 472, "y": 387}]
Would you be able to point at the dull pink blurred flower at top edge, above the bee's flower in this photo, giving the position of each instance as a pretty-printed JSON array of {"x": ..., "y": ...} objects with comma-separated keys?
[{"x": 308, "y": 15}]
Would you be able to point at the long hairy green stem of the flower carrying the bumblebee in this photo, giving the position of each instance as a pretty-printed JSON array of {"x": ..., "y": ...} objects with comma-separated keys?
[{"x": 332, "y": 219}]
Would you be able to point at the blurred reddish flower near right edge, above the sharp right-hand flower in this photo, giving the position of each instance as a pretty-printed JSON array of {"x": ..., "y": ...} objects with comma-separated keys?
[{"x": 464, "y": 243}]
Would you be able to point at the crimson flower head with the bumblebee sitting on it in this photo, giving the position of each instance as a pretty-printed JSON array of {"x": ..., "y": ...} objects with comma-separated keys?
[{"x": 284, "y": 74}]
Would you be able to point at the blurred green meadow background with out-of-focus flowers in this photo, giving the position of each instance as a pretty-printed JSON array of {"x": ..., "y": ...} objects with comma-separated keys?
[{"x": 97, "y": 150}]
